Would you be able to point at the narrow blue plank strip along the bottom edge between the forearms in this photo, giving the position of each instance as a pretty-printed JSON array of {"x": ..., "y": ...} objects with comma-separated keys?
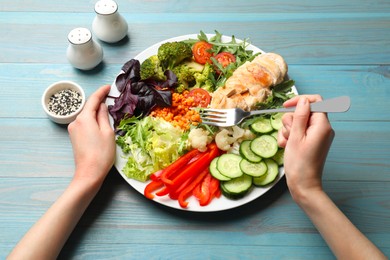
[{"x": 208, "y": 251}]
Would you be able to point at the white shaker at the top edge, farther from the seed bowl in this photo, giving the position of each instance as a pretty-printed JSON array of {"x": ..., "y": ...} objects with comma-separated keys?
[{"x": 108, "y": 25}]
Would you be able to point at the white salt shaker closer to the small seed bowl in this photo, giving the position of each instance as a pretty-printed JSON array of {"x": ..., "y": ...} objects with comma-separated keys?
[{"x": 83, "y": 52}]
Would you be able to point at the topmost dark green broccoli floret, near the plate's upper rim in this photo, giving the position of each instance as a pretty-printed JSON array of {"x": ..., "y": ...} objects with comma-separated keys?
[{"x": 172, "y": 54}]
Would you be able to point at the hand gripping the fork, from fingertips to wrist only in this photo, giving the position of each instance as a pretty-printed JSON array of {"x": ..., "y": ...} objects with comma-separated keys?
[{"x": 307, "y": 138}]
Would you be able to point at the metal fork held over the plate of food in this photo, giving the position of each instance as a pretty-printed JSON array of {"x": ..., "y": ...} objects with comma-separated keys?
[{"x": 234, "y": 116}]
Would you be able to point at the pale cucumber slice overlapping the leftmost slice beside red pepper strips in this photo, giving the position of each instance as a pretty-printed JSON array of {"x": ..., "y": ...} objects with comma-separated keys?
[{"x": 228, "y": 164}]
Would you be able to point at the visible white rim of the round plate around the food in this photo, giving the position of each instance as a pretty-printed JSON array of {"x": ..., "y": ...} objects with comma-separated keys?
[{"x": 220, "y": 204}]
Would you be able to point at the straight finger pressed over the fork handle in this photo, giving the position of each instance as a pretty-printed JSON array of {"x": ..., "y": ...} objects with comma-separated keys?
[{"x": 300, "y": 118}]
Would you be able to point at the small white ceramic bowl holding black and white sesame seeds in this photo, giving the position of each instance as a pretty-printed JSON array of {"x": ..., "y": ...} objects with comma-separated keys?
[{"x": 55, "y": 88}]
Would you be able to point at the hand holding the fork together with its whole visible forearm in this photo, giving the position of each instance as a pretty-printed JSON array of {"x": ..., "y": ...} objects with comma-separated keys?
[{"x": 307, "y": 138}]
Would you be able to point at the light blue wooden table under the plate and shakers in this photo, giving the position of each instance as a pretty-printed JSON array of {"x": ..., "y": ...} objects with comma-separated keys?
[{"x": 332, "y": 47}]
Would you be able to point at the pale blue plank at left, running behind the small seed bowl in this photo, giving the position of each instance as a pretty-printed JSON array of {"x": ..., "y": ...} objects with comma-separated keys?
[{"x": 33, "y": 79}]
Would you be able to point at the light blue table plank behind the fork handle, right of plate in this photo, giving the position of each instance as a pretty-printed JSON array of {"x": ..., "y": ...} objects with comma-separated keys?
[{"x": 364, "y": 84}]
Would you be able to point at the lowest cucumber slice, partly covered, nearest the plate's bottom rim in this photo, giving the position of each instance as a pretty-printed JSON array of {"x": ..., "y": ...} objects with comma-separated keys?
[{"x": 237, "y": 188}]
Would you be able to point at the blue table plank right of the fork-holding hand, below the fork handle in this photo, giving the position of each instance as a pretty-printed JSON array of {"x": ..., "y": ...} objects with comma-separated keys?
[{"x": 368, "y": 142}]
